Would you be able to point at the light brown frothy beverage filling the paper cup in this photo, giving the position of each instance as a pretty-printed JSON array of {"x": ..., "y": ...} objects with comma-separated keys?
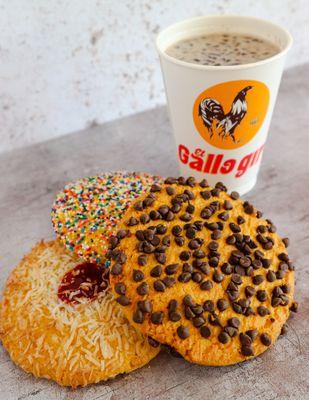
[{"x": 222, "y": 49}]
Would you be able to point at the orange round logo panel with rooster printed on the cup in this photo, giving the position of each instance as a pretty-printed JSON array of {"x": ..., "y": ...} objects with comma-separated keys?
[{"x": 229, "y": 115}]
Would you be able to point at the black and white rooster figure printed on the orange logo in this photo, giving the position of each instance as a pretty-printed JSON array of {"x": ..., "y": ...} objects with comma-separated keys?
[{"x": 216, "y": 121}]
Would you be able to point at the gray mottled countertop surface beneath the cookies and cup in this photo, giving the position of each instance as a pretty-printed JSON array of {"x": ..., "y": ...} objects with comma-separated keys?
[{"x": 30, "y": 178}]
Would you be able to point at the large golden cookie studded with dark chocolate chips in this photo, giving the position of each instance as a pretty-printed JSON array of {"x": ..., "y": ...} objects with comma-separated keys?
[{"x": 200, "y": 270}]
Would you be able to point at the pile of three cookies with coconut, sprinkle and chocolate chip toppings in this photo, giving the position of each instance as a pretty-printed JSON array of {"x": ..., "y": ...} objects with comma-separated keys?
[{"x": 141, "y": 262}]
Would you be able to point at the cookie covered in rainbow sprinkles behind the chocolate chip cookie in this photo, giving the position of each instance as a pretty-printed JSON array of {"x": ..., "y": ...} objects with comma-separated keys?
[{"x": 86, "y": 212}]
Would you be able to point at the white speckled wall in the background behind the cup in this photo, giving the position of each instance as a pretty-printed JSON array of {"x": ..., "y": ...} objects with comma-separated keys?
[{"x": 66, "y": 65}]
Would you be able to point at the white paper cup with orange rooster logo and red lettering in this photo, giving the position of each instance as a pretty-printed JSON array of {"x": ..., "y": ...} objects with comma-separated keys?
[{"x": 208, "y": 150}]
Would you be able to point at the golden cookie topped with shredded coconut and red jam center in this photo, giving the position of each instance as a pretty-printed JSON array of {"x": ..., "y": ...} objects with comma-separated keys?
[{"x": 59, "y": 321}]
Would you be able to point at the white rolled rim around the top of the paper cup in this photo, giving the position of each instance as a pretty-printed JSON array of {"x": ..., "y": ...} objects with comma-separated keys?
[{"x": 162, "y": 53}]
